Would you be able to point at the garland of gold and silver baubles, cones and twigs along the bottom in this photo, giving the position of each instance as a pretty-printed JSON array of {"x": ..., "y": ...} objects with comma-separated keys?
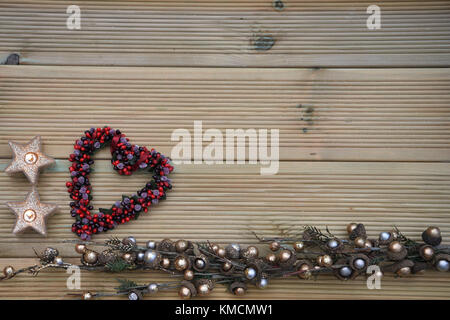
[{"x": 203, "y": 265}]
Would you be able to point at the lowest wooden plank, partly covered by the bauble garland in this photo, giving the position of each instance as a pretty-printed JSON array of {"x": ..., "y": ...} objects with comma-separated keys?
[{"x": 52, "y": 285}]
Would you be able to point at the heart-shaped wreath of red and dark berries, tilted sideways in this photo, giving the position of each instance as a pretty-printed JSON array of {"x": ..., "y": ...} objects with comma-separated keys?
[{"x": 126, "y": 158}]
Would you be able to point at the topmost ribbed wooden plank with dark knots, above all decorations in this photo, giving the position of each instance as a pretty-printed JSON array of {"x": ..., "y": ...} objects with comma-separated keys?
[{"x": 227, "y": 33}]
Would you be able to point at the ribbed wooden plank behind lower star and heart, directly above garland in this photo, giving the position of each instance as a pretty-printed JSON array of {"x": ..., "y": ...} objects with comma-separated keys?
[{"x": 226, "y": 203}]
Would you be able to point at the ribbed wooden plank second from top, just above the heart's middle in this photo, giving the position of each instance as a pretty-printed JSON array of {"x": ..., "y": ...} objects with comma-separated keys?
[{"x": 321, "y": 114}]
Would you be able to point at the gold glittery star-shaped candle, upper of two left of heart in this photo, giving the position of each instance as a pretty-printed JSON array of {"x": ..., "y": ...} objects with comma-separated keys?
[{"x": 29, "y": 159}]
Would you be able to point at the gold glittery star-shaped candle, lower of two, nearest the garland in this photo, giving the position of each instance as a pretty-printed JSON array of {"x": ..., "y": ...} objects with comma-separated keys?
[{"x": 31, "y": 213}]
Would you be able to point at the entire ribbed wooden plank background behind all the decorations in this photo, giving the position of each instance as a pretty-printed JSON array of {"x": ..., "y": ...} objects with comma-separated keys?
[{"x": 364, "y": 120}]
